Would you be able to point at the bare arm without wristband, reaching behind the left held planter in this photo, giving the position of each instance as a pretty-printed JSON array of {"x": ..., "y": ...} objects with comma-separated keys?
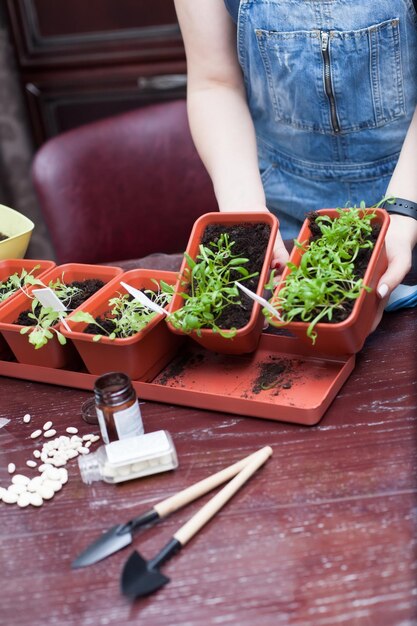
[{"x": 219, "y": 117}]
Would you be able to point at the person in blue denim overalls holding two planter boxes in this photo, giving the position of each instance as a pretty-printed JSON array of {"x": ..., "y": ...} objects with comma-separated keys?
[{"x": 296, "y": 105}]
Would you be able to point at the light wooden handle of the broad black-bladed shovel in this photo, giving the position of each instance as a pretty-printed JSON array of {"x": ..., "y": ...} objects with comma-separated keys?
[{"x": 186, "y": 532}]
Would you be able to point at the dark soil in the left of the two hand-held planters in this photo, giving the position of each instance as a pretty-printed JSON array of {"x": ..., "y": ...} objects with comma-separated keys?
[{"x": 250, "y": 241}]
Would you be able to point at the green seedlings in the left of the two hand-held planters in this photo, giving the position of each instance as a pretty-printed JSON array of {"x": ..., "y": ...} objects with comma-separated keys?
[{"x": 211, "y": 287}]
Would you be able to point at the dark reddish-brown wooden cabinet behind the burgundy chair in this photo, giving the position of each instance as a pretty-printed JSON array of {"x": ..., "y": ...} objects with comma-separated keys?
[{"x": 84, "y": 60}]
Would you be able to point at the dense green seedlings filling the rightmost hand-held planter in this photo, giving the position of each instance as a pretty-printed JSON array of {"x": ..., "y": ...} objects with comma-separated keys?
[{"x": 325, "y": 281}]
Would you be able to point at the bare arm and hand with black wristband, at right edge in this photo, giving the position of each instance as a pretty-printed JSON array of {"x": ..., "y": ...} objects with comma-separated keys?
[{"x": 402, "y": 233}]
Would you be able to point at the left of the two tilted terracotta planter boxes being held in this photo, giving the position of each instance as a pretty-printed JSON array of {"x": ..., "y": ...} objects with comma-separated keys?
[{"x": 247, "y": 337}]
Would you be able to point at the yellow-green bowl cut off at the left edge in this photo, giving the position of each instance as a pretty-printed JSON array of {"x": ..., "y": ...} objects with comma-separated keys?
[{"x": 18, "y": 230}]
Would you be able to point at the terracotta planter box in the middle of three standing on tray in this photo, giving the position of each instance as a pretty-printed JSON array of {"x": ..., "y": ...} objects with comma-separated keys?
[{"x": 53, "y": 354}]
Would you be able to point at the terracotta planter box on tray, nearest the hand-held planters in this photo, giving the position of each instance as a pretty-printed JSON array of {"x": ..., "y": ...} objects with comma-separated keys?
[{"x": 140, "y": 356}]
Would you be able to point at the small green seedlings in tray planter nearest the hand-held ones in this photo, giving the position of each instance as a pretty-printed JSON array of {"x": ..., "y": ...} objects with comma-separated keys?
[{"x": 127, "y": 316}]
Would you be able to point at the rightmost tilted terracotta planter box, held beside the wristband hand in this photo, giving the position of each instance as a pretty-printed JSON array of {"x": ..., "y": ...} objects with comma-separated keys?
[{"x": 348, "y": 336}]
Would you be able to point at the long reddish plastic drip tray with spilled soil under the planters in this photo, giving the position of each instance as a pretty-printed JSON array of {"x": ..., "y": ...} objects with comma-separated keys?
[{"x": 283, "y": 380}]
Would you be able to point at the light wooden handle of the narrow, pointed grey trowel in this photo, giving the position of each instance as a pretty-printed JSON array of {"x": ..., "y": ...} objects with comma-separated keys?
[{"x": 180, "y": 499}]
